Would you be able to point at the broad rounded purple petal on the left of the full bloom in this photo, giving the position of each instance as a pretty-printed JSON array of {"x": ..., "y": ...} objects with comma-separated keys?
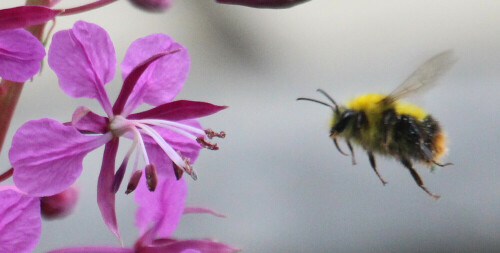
[{"x": 47, "y": 156}]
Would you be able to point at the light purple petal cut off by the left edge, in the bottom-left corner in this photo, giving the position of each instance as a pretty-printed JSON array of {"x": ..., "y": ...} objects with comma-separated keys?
[{"x": 20, "y": 222}]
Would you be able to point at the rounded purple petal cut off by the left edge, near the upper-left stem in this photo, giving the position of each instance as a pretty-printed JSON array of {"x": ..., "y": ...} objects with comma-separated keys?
[{"x": 19, "y": 61}]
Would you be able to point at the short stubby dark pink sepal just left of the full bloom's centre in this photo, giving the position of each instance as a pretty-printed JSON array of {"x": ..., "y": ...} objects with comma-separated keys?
[{"x": 87, "y": 121}]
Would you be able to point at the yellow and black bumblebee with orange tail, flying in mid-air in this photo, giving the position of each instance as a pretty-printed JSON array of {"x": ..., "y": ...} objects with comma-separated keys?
[{"x": 383, "y": 124}]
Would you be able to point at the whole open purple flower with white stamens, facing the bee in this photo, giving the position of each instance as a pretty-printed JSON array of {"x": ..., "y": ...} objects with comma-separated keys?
[{"x": 47, "y": 155}]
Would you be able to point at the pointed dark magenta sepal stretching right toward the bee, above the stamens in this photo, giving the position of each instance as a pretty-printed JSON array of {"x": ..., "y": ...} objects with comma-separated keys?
[{"x": 179, "y": 110}]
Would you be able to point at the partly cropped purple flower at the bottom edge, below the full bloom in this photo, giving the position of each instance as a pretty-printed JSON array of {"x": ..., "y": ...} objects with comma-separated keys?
[{"x": 157, "y": 217}]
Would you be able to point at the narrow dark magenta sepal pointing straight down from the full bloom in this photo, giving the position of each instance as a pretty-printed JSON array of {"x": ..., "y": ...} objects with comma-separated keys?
[{"x": 105, "y": 194}]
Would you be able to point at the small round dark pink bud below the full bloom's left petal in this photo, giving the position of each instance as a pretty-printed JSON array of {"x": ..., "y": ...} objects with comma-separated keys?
[{"x": 59, "y": 205}]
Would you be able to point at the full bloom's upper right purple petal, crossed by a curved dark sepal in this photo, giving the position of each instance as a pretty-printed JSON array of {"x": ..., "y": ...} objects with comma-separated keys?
[{"x": 163, "y": 80}]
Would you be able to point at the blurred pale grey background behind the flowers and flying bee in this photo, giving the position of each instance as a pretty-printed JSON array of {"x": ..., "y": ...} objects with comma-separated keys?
[{"x": 277, "y": 176}]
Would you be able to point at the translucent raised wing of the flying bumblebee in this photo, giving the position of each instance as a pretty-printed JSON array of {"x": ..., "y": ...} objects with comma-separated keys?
[{"x": 424, "y": 77}]
